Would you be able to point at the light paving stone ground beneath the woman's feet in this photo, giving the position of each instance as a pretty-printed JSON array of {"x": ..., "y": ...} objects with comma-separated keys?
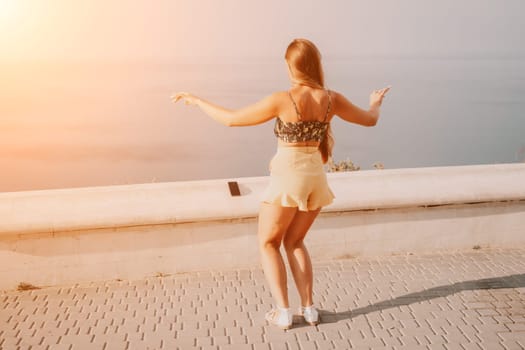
[{"x": 457, "y": 300}]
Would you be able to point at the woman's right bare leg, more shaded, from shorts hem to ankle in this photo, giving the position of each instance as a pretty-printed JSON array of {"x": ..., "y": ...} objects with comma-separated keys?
[{"x": 298, "y": 256}]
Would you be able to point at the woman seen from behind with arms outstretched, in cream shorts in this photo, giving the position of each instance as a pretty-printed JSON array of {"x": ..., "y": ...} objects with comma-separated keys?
[{"x": 298, "y": 187}]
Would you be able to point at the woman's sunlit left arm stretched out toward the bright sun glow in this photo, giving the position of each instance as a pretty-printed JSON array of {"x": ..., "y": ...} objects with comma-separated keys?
[{"x": 254, "y": 114}]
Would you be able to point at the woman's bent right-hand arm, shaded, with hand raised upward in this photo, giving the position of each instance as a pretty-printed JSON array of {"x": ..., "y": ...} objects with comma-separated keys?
[{"x": 354, "y": 114}]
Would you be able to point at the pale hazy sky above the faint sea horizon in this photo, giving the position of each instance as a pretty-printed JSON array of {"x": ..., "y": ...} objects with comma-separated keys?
[{"x": 208, "y": 29}]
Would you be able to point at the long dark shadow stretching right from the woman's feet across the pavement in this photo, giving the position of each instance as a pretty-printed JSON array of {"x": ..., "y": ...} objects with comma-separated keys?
[{"x": 511, "y": 281}]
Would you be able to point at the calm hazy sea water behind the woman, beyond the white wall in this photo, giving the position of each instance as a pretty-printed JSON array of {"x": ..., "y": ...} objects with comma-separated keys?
[{"x": 79, "y": 124}]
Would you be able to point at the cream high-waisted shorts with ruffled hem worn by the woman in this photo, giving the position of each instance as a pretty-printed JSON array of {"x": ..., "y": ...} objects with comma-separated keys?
[{"x": 297, "y": 179}]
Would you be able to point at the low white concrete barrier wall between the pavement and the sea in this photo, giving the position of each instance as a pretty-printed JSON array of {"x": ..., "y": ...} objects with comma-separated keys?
[{"x": 71, "y": 235}]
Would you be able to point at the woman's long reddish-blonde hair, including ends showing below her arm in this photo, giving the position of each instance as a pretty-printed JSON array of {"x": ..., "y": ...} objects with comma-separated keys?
[{"x": 304, "y": 60}]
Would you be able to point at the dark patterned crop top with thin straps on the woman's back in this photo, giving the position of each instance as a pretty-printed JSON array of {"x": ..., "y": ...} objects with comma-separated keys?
[{"x": 302, "y": 130}]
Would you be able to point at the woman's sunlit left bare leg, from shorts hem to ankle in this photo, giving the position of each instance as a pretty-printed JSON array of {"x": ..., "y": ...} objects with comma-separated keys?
[{"x": 273, "y": 222}]
